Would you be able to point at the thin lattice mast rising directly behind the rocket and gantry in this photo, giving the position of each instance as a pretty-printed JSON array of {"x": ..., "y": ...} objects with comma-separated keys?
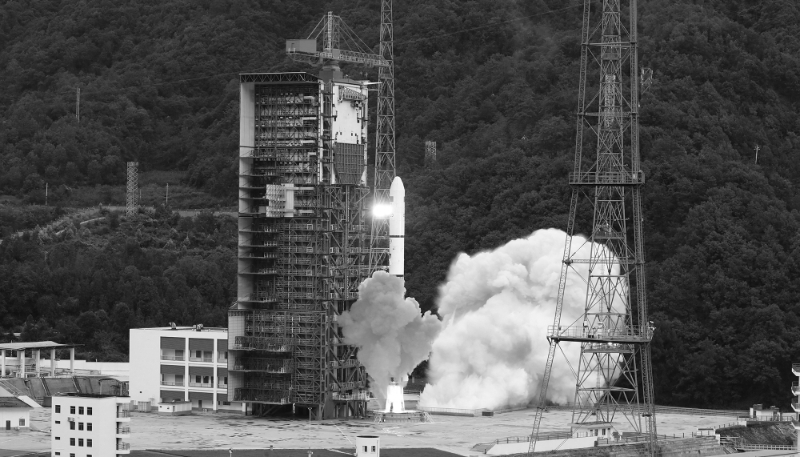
[{"x": 384, "y": 145}]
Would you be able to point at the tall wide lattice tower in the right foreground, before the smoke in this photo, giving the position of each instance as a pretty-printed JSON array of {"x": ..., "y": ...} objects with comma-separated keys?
[{"x": 614, "y": 372}]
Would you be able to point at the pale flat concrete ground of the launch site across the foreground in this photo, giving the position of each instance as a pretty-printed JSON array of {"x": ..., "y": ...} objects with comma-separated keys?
[{"x": 223, "y": 431}]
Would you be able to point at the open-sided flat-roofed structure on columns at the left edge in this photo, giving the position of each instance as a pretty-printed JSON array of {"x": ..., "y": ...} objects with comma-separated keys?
[{"x": 15, "y": 363}]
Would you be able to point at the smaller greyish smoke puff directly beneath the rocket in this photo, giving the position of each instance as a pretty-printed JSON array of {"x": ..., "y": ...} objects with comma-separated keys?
[{"x": 390, "y": 331}]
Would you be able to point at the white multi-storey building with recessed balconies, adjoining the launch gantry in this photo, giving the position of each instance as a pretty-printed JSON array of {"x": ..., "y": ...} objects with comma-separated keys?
[{"x": 181, "y": 364}]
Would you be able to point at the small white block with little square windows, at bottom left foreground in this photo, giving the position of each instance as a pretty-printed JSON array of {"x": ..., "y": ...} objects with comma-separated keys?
[{"x": 90, "y": 425}]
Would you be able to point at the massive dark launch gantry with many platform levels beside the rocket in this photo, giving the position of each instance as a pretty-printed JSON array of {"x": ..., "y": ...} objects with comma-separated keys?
[{"x": 303, "y": 247}]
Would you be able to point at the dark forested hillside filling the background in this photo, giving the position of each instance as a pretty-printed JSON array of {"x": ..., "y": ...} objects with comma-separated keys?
[{"x": 495, "y": 84}]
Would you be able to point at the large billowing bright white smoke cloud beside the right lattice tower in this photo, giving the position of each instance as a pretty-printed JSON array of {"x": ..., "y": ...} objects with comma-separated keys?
[{"x": 496, "y": 307}]
